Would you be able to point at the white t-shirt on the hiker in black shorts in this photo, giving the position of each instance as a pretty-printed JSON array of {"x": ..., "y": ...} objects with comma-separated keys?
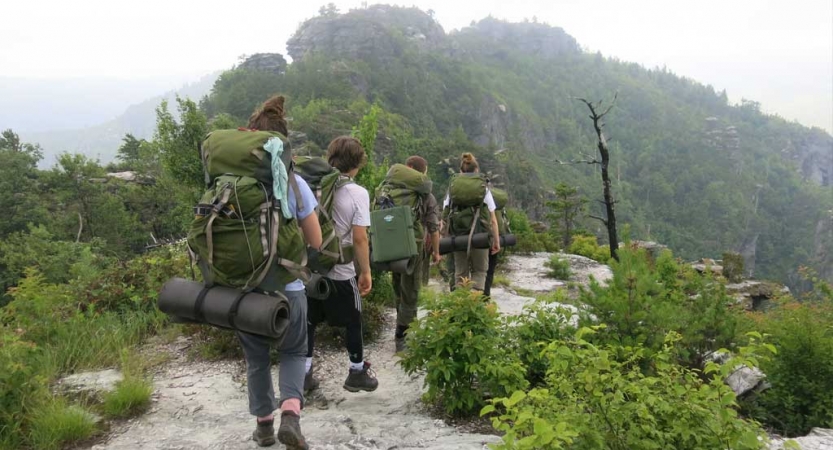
[{"x": 351, "y": 206}]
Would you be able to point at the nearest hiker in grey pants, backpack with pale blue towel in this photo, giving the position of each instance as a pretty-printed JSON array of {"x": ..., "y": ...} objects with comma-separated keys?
[{"x": 250, "y": 232}]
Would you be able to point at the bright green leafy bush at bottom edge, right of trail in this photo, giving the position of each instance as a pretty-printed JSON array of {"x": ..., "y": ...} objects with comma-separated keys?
[{"x": 599, "y": 398}]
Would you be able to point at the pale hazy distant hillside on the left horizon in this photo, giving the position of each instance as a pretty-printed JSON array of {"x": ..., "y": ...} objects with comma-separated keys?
[{"x": 101, "y": 141}]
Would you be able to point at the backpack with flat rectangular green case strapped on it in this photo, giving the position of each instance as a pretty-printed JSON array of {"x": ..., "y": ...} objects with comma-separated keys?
[{"x": 395, "y": 224}]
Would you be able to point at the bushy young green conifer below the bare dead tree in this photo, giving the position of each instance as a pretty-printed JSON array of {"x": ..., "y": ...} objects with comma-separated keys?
[{"x": 642, "y": 303}]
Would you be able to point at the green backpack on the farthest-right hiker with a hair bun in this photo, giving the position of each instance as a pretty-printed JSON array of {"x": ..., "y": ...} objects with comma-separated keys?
[{"x": 466, "y": 213}]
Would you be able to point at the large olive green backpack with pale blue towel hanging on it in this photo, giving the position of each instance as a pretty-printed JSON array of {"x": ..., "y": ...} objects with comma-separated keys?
[{"x": 239, "y": 233}]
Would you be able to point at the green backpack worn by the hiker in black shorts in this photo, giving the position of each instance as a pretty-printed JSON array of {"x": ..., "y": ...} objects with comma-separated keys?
[{"x": 324, "y": 180}]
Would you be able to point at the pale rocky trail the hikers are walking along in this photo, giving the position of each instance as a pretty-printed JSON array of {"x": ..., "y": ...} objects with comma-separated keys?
[{"x": 202, "y": 405}]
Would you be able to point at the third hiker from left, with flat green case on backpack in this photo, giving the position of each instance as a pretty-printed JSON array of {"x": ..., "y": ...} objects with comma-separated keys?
[{"x": 408, "y": 186}]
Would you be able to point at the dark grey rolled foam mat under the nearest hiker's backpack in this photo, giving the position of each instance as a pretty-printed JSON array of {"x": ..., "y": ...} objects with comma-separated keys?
[{"x": 191, "y": 301}]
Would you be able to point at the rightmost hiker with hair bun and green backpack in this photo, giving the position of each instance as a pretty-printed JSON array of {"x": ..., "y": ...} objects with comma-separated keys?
[{"x": 469, "y": 208}]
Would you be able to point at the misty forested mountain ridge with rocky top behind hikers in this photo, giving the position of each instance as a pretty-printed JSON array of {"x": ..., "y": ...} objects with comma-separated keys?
[{"x": 691, "y": 170}]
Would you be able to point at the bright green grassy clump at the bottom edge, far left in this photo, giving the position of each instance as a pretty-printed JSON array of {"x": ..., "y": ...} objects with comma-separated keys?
[{"x": 58, "y": 424}]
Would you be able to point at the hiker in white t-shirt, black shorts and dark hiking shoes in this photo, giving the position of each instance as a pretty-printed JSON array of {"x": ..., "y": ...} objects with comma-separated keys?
[{"x": 349, "y": 209}]
